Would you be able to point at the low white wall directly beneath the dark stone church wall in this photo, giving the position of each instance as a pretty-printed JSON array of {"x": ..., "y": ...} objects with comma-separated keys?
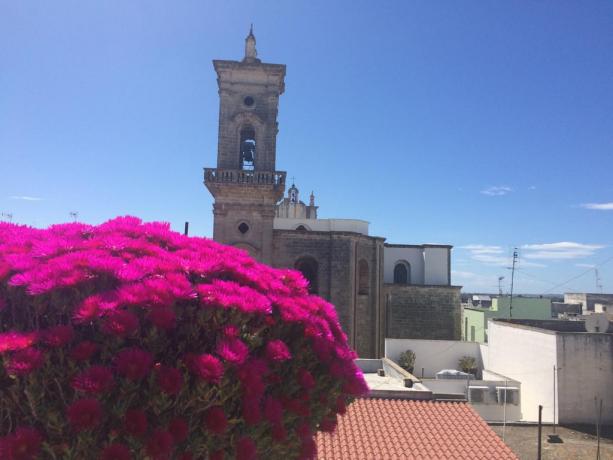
[{"x": 433, "y": 355}]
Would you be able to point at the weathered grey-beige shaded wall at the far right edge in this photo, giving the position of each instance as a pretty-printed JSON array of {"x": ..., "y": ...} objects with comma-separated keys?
[{"x": 585, "y": 363}]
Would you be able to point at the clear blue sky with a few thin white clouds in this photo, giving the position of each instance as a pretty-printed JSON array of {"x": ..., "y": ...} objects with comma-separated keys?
[{"x": 486, "y": 125}]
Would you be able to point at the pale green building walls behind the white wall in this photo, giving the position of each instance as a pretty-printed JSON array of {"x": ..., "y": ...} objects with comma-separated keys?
[{"x": 474, "y": 320}]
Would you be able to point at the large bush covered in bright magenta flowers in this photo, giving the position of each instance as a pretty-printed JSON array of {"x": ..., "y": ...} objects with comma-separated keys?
[{"x": 126, "y": 340}]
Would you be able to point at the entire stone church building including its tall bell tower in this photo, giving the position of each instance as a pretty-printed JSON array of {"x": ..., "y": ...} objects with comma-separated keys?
[{"x": 380, "y": 290}]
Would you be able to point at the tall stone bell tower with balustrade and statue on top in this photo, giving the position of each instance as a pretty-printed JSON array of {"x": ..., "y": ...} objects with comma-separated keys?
[{"x": 244, "y": 184}]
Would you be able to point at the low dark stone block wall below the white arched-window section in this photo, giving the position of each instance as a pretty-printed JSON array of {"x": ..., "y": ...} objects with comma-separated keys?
[{"x": 423, "y": 312}]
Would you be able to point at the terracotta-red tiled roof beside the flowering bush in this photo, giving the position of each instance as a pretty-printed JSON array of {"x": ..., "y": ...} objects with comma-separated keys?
[{"x": 409, "y": 429}]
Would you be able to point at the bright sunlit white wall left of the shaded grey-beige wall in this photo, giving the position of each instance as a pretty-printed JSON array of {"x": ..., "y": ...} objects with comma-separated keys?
[{"x": 528, "y": 356}]
